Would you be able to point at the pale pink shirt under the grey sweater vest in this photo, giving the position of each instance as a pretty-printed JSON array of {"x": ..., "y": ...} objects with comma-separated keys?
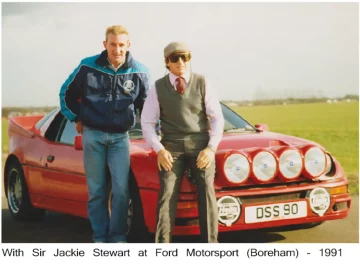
[{"x": 151, "y": 115}]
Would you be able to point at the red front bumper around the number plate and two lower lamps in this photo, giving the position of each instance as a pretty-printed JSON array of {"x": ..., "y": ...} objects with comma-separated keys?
[{"x": 187, "y": 216}]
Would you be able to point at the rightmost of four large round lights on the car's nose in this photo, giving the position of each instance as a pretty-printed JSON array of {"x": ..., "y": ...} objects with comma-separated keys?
[{"x": 315, "y": 161}]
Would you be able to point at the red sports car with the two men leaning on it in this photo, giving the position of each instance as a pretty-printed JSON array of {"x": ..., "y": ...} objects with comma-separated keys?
[{"x": 263, "y": 179}]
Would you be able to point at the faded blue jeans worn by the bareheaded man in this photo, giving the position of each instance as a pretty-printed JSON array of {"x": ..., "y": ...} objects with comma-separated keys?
[{"x": 101, "y": 149}]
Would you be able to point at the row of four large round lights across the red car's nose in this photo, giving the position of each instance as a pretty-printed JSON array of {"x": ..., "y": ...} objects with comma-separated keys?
[{"x": 289, "y": 164}]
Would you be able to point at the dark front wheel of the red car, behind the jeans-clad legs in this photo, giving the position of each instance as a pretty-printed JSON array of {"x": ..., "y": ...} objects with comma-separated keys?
[{"x": 137, "y": 230}]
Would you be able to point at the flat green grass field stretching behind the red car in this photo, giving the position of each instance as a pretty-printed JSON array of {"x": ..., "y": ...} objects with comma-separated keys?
[{"x": 334, "y": 126}]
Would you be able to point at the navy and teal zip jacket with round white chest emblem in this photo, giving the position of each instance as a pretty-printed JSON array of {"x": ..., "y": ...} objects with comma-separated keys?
[{"x": 102, "y": 98}]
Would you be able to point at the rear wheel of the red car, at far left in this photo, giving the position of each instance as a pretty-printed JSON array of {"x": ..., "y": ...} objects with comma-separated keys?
[{"x": 18, "y": 198}]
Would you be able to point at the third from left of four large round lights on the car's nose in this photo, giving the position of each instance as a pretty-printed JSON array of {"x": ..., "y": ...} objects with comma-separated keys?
[{"x": 290, "y": 164}]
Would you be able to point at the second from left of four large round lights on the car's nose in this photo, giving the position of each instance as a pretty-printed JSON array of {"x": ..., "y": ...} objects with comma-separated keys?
[{"x": 264, "y": 166}]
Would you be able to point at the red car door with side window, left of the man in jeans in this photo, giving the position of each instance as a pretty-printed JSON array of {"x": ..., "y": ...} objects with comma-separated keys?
[{"x": 63, "y": 172}]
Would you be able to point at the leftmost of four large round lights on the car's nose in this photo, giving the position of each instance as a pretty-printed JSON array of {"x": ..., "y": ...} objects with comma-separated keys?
[{"x": 237, "y": 168}]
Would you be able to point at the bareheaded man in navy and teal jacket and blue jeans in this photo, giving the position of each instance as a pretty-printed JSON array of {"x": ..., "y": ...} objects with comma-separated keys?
[{"x": 102, "y": 96}]
